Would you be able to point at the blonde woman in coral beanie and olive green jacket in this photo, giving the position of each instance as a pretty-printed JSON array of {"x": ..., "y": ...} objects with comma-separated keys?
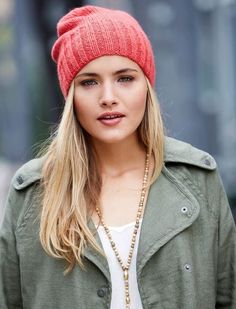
[{"x": 115, "y": 215}]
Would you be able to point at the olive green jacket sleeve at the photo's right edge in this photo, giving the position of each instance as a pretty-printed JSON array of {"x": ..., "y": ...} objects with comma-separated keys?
[{"x": 226, "y": 269}]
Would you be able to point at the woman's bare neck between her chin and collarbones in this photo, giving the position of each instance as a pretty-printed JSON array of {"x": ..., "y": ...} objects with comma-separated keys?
[{"x": 118, "y": 158}]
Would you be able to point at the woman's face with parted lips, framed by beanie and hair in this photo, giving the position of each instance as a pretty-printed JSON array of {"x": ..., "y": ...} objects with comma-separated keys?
[{"x": 110, "y": 98}]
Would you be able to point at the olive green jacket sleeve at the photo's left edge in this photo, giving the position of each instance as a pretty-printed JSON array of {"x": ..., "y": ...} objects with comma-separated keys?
[{"x": 10, "y": 288}]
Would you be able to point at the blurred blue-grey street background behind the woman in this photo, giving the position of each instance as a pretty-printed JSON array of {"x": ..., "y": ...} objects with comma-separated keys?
[{"x": 195, "y": 47}]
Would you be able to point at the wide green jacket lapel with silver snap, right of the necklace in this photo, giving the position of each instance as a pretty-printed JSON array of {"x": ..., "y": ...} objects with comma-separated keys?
[{"x": 170, "y": 209}]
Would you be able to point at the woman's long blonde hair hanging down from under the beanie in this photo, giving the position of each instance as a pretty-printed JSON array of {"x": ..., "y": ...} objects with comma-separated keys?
[{"x": 72, "y": 184}]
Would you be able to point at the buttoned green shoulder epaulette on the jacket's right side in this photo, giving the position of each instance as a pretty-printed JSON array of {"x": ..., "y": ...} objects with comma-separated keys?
[{"x": 176, "y": 151}]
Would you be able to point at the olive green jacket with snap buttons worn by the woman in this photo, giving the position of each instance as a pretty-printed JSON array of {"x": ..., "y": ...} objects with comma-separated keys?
[{"x": 186, "y": 254}]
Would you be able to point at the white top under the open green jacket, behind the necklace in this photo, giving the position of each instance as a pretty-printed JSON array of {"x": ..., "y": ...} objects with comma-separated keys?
[{"x": 122, "y": 237}]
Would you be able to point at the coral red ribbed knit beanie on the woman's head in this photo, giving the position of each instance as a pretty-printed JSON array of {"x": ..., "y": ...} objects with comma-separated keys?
[{"x": 89, "y": 32}]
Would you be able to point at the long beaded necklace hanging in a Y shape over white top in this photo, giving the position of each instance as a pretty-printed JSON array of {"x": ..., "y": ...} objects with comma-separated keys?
[{"x": 125, "y": 267}]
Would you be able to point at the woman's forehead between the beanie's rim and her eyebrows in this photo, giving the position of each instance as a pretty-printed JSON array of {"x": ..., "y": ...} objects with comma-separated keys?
[{"x": 109, "y": 64}]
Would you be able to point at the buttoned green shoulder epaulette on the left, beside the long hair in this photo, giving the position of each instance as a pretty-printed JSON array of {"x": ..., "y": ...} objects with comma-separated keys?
[{"x": 28, "y": 173}]
